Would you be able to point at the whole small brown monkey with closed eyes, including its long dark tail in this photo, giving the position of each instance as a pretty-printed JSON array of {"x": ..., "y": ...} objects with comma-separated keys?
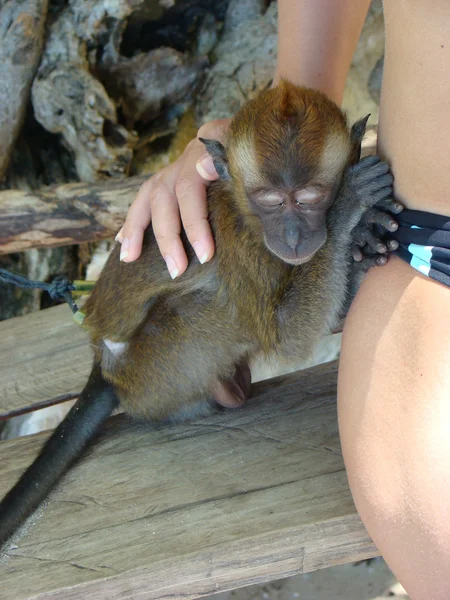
[{"x": 291, "y": 190}]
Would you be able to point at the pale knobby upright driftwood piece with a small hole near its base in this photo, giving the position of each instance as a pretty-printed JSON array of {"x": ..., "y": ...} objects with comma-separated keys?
[{"x": 68, "y": 100}]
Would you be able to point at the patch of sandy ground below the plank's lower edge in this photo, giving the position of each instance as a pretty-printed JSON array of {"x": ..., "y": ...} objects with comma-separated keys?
[{"x": 371, "y": 580}]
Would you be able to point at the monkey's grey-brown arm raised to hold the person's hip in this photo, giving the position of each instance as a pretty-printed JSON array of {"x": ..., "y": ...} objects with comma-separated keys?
[{"x": 321, "y": 285}]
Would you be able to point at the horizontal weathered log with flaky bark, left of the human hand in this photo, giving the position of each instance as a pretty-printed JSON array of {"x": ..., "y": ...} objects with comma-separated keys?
[{"x": 66, "y": 214}]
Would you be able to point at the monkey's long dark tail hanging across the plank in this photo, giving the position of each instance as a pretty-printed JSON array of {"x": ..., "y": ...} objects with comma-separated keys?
[{"x": 70, "y": 438}]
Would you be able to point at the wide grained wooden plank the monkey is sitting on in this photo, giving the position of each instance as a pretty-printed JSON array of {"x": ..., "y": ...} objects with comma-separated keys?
[{"x": 182, "y": 511}]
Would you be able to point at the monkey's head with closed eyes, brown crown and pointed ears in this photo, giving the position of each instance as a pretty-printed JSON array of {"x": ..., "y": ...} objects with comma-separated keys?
[{"x": 285, "y": 155}]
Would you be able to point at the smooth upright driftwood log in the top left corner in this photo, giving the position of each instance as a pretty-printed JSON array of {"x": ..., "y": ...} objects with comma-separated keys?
[{"x": 21, "y": 38}]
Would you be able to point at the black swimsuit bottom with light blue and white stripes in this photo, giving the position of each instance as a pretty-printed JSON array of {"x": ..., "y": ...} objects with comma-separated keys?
[{"x": 424, "y": 240}]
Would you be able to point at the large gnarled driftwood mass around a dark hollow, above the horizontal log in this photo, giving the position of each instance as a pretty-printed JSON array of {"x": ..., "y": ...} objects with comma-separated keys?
[{"x": 92, "y": 95}]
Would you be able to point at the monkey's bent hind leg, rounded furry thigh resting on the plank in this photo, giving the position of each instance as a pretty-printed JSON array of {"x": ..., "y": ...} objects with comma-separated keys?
[{"x": 176, "y": 358}]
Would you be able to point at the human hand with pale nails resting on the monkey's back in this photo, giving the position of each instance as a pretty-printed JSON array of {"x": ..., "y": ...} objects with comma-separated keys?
[{"x": 178, "y": 190}]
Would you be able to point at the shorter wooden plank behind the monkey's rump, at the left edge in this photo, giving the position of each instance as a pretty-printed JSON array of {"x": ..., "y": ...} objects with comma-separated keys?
[{"x": 44, "y": 358}]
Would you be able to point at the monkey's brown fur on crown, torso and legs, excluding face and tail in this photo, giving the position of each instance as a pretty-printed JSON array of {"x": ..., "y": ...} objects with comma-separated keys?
[{"x": 184, "y": 334}]
